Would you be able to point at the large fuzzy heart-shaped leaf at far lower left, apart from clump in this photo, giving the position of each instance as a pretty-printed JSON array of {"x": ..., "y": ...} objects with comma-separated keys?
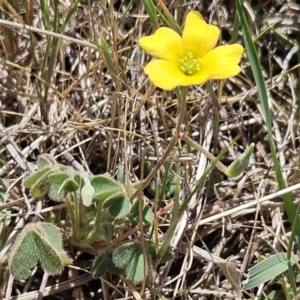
[{"x": 38, "y": 242}]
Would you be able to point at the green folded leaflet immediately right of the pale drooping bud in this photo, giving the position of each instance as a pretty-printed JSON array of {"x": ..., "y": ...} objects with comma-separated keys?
[{"x": 105, "y": 187}]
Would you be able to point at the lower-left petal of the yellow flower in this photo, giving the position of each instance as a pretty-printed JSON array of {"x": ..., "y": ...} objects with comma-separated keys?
[{"x": 164, "y": 74}]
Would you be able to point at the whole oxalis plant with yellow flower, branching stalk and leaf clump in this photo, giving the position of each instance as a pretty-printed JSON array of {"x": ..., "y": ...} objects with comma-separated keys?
[{"x": 98, "y": 206}]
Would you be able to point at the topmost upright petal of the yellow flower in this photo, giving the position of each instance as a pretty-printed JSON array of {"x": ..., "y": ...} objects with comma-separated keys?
[{"x": 199, "y": 37}]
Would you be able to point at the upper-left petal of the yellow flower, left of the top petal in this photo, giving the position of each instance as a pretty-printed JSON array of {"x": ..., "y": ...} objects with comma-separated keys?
[{"x": 165, "y": 43}]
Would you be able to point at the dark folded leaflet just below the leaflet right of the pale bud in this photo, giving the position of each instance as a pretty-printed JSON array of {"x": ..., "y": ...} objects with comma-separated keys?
[{"x": 118, "y": 205}]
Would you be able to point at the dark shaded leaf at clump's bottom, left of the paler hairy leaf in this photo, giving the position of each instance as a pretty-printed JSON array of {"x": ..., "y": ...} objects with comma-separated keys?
[{"x": 104, "y": 263}]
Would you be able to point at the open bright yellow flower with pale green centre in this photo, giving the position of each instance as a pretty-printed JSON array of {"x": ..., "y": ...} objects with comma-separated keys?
[{"x": 191, "y": 58}]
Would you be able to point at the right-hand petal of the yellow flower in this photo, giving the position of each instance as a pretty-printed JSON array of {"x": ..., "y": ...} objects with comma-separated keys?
[{"x": 222, "y": 62}]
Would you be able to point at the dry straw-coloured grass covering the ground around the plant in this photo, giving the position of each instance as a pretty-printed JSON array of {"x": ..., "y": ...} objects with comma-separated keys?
[{"x": 97, "y": 115}]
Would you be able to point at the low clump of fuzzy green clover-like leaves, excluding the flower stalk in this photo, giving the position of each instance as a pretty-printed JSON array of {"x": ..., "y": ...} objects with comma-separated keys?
[{"x": 97, "y": 207}]
